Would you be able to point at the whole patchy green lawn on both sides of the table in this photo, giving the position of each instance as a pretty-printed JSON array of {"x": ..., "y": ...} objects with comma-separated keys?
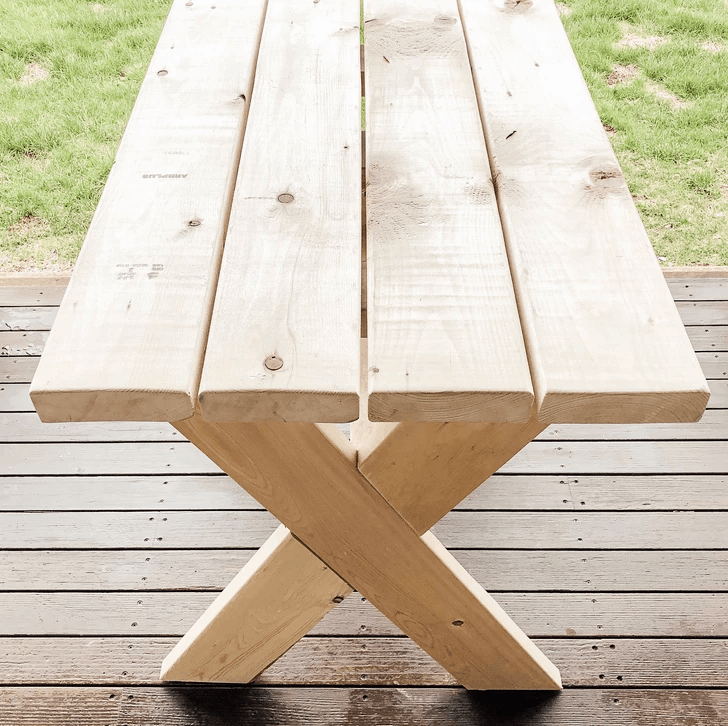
[{"x": 71, "y": 69}]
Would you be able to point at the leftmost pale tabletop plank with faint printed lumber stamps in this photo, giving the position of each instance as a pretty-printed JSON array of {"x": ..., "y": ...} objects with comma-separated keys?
[{"x": 128, "y": 340}]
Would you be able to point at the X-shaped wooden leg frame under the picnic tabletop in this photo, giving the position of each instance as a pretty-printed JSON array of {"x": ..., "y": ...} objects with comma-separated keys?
[{"x": 368, "y": 532}]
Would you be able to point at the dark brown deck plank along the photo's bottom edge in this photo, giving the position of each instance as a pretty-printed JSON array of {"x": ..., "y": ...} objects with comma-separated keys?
[{"x": 359, "y": 706}]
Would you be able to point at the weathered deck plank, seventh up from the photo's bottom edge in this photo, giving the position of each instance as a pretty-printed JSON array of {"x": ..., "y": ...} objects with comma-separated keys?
[{"x": 539, "y": 457}]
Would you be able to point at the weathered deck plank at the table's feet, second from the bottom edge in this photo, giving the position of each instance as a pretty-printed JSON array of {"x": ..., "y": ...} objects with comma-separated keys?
[{"x": 632, "y": 662}]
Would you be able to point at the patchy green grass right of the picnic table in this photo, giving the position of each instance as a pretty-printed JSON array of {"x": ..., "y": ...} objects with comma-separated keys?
[{"x": 658, "y": 73}]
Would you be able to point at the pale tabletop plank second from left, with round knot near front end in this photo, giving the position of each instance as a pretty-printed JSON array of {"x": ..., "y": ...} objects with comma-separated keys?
[{"x": 284, "y": 337}]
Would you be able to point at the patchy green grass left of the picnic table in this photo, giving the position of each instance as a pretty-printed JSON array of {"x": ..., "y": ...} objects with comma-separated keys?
[{"x": 69, "y": 73}]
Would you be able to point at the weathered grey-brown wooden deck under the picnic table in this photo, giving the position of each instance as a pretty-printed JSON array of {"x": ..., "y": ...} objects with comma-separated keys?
[{"x": 607, "y": 544}]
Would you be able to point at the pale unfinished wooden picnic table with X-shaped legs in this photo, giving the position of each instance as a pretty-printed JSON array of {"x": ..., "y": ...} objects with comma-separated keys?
[{"x": 496, "y": 280}]
